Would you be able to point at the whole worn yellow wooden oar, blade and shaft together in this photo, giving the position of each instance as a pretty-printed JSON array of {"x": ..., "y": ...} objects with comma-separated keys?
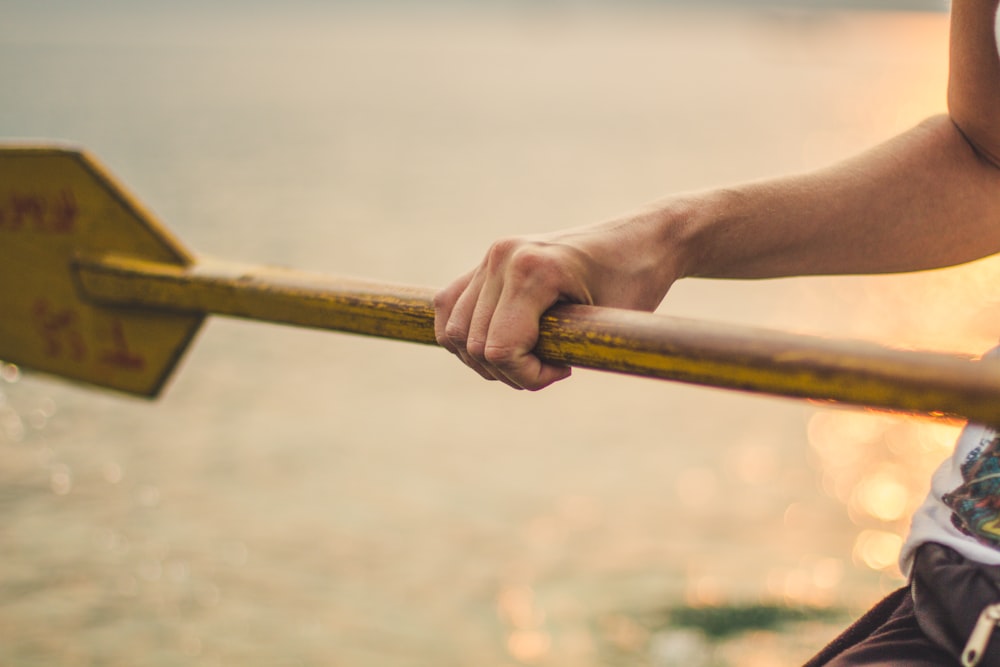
[{"x": 93, "y": 288}]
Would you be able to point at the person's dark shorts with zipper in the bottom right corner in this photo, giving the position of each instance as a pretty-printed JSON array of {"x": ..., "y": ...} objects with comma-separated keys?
[{"x": 925, "y": 623}]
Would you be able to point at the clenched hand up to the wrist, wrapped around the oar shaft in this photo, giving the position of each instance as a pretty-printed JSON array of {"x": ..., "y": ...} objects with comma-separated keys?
[{"x": 489, "y": 317}]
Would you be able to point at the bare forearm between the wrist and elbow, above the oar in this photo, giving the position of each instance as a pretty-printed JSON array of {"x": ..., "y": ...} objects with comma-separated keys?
[{"x": 923, "y": 200}]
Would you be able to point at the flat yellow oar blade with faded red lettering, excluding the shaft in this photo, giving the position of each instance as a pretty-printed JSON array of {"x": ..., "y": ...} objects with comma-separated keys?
[{"x": 57, "y": 205}]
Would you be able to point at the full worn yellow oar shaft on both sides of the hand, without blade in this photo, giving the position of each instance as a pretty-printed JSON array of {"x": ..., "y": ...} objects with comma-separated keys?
[{"x": 630, "y": 342}]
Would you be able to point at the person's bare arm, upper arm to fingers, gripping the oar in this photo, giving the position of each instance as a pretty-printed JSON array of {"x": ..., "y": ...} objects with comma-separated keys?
[{"x": 927, "y": 198}]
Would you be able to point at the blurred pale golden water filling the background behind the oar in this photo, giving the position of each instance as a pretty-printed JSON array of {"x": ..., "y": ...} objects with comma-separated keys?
[{"x": 307, "y": 498}]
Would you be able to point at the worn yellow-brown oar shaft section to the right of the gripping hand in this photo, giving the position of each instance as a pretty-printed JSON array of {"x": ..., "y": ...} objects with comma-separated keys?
[{"x": 773, "y": 362}]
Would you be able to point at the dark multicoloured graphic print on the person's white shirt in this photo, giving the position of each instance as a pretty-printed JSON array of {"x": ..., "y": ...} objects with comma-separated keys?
[{"x": 975, "y": 504}]
